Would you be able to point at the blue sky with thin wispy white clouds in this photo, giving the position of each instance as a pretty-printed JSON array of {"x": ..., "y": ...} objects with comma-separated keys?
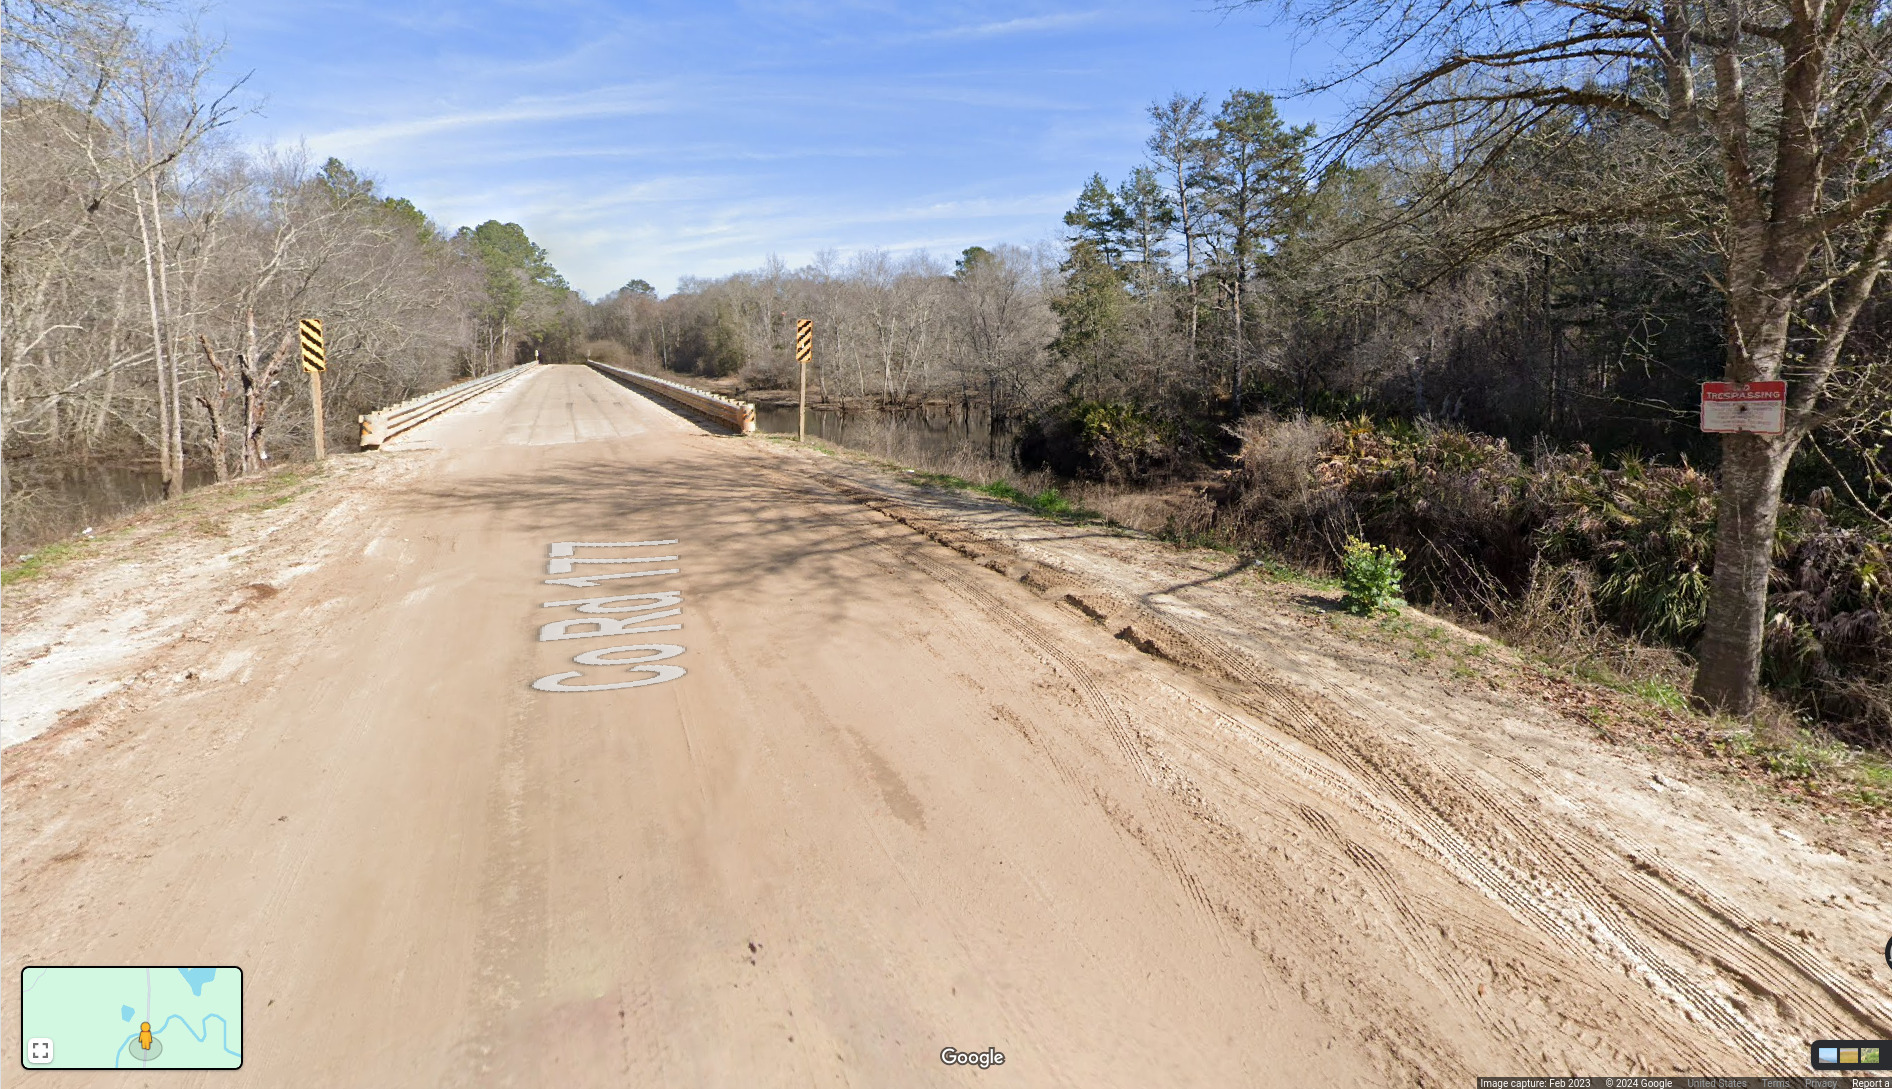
[{"x": 676, "y": 139}]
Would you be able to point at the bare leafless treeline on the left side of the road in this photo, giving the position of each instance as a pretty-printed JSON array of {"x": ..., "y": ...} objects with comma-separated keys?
[{"x": 154, "y": 269}]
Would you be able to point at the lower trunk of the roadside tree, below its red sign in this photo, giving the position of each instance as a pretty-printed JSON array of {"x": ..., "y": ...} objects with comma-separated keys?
[{"x": 1747, "y": 515}]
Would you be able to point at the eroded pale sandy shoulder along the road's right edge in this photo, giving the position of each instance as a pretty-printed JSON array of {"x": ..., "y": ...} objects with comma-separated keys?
[{"x": 1761, "y": 920}]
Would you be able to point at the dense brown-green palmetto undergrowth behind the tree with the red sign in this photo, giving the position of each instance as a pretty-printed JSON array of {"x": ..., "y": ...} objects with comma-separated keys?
[{"x": 1566, "y": 547}]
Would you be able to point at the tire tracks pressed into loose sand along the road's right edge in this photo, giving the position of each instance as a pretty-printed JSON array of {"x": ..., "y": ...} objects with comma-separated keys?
[{"x": 1562, "y": 884}]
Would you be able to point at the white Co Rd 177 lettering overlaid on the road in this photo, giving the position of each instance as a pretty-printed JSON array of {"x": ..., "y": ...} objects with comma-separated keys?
[{"x": 612, "y": 615}]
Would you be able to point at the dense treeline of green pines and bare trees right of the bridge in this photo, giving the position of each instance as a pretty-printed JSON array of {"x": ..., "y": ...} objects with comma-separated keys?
[{"x": 1219, "y": 279}]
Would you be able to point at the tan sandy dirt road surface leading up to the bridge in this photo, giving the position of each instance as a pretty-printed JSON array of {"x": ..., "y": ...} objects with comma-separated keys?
[{"x": 896, "y": 803}]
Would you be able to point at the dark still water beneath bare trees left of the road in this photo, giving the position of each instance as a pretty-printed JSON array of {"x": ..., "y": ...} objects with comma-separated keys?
[{"x": 52, "y": 504}]
